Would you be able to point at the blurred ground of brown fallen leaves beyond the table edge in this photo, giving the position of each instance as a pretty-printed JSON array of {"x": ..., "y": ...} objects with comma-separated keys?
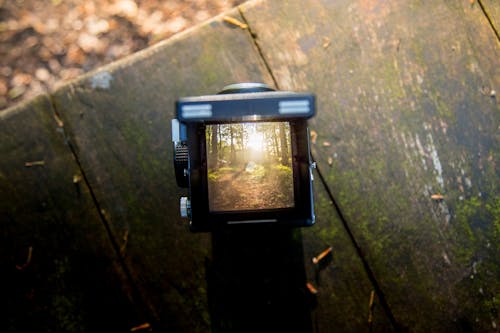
[{"x": 44, "y": 43}]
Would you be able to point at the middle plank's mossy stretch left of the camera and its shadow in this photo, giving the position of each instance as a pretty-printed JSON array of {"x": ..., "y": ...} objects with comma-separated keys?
[{"x": 119, "y": 122}]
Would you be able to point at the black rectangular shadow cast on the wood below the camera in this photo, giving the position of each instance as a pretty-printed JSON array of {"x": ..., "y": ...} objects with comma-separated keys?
[{"x": 257, "y": 281}]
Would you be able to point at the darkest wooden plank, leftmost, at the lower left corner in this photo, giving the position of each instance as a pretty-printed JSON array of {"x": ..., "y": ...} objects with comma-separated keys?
[{"x": 59, "y": 272}]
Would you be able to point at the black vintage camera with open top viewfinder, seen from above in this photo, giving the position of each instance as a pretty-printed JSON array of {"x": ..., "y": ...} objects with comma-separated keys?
[{"x": 244, "y": 155}]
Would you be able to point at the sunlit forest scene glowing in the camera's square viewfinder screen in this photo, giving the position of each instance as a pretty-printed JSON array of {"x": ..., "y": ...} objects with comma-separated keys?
[{"x": 249, "y": 166}]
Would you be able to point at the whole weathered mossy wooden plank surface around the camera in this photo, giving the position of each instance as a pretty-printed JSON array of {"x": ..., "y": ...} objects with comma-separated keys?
[{"x": 406, "y": 106}]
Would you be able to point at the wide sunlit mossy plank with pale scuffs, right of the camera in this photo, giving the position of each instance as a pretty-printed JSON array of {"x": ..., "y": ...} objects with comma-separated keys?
[{"x": 406, "y": 111}]
